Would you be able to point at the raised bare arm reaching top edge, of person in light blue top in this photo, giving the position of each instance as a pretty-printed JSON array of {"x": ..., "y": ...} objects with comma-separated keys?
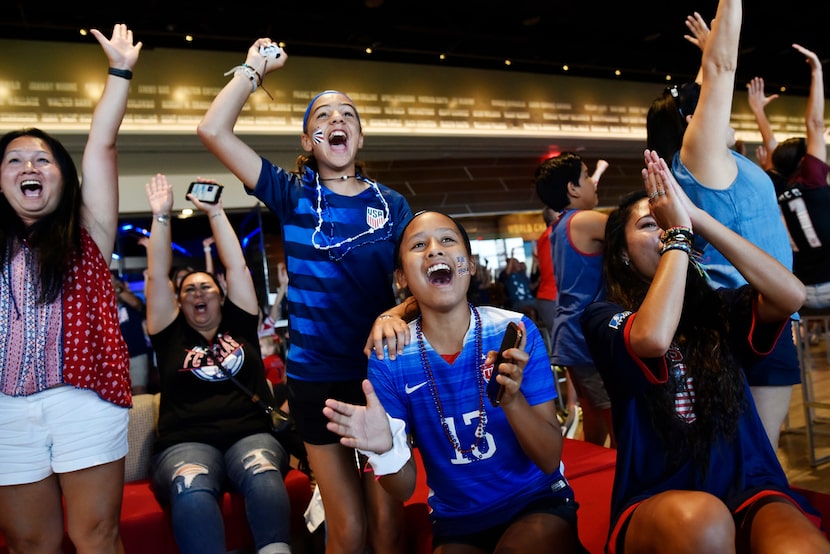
[{"x": 706, "y": 143}]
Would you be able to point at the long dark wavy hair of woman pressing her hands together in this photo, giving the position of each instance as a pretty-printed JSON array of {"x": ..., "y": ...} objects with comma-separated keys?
[{"x": 701, "y": 337}]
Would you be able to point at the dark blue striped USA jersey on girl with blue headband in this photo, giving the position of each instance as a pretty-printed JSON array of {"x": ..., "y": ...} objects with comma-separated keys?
[{"x": 339, "y": 256}]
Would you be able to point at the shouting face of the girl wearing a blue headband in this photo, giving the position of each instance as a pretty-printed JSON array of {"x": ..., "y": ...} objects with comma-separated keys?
[{"x": 333, "y": 131}]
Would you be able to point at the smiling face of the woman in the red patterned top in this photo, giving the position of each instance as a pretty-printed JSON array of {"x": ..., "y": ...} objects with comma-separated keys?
[{"x": 30, "y": 178}]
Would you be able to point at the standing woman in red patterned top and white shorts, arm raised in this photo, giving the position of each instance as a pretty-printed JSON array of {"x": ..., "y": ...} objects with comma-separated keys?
[{"x": 60, "y": 327}]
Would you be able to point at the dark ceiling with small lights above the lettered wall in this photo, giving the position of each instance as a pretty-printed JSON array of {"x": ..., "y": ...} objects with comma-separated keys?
[{"x": 642, "y": 39}]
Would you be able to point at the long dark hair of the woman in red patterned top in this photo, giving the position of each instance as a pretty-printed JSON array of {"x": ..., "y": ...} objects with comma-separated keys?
[{"x": 56, "y": 237}]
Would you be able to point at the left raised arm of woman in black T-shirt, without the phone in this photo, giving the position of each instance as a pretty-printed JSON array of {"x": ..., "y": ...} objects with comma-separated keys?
[{"x": 162, "y": 307}]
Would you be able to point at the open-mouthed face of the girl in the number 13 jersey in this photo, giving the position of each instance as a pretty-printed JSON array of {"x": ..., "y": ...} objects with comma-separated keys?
[{"x": 435, "y": 263}]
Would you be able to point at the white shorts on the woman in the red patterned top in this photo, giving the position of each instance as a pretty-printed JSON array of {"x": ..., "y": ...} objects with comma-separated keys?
[{"x": 59, "y": 430}]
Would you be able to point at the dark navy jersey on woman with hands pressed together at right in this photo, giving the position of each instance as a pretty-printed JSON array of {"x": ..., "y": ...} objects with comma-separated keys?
[{"x": 739, "y": 467}]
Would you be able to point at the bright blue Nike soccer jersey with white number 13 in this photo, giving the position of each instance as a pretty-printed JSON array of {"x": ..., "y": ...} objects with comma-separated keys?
[{"x": 475, "y": 483}]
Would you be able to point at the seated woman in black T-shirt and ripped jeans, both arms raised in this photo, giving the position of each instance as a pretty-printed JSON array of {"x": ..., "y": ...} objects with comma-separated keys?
[{"x": 210, "y": 433}]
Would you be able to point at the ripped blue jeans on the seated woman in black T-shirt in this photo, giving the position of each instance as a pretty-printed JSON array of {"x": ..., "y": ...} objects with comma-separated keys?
[{"x": 191, "y": 478}]
